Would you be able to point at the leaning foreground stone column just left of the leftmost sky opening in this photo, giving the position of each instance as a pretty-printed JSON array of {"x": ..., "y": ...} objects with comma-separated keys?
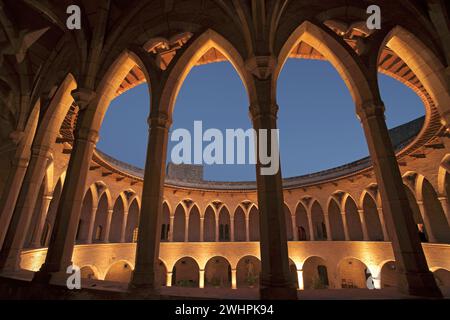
[{"x": 60, "y": 249}]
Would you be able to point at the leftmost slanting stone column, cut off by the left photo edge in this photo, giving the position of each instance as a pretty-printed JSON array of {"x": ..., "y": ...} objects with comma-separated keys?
[{"x": 10, "y": 194}]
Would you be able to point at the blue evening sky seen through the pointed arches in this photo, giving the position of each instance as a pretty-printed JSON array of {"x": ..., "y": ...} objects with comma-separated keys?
[{"x": 318, "y": 126}]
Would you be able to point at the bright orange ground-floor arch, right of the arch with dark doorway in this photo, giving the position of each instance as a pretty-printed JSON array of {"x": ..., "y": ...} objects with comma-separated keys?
[{"x": 352, "y": 273}]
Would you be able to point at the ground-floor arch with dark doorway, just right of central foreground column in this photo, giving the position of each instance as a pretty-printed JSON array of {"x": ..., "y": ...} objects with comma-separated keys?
[{"x": 315, "y": 274}]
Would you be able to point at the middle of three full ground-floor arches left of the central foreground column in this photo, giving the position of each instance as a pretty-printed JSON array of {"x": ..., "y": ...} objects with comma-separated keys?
[{"x": 218, "y": 273}]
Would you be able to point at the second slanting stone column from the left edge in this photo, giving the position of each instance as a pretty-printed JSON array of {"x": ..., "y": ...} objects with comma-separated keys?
[{"x": 21, "y": 218}]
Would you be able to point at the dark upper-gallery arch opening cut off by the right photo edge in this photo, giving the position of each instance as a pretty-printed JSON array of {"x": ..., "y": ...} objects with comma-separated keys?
[{"x": 436, "y": 216}]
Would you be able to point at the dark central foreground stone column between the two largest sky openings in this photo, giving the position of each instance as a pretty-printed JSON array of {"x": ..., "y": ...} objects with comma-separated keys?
[{"x": 275, "y": 282}]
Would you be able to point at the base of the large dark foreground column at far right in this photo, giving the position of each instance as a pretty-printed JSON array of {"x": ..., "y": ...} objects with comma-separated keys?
[{"x": 419, "y": 284}]
